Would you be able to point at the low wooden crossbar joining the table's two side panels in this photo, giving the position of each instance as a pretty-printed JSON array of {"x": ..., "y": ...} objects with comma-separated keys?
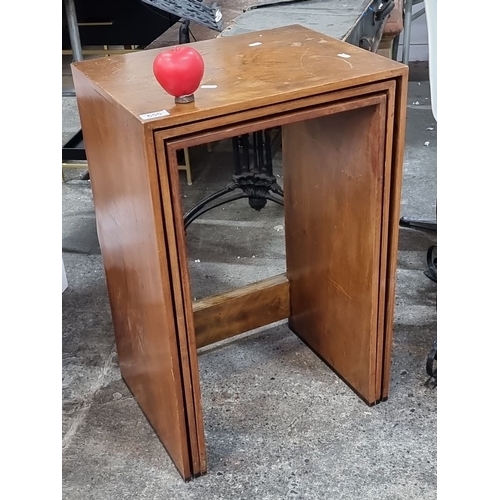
[{"x": 223, "y": 316}]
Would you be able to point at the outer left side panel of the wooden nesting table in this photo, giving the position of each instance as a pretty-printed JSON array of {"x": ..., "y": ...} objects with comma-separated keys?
[{"x": 132, "y": 240}]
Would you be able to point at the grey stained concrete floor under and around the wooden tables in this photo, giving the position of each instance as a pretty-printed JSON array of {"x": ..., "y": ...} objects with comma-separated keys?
[{"x": 279, "y": 424}]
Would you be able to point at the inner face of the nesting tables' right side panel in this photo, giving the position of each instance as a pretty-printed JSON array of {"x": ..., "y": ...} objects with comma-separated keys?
[{"x": 333, "y": 232}]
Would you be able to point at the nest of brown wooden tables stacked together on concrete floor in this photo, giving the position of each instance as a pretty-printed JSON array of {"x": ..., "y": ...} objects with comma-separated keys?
[{"x": 341, "y": 110}]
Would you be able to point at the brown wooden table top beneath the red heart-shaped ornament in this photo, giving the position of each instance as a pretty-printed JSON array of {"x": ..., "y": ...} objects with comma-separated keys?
[{"x": 243, "y": 72}]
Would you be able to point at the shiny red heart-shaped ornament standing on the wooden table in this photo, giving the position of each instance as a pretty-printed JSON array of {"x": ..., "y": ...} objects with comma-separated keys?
[{"x": 179, "y": 71}]
